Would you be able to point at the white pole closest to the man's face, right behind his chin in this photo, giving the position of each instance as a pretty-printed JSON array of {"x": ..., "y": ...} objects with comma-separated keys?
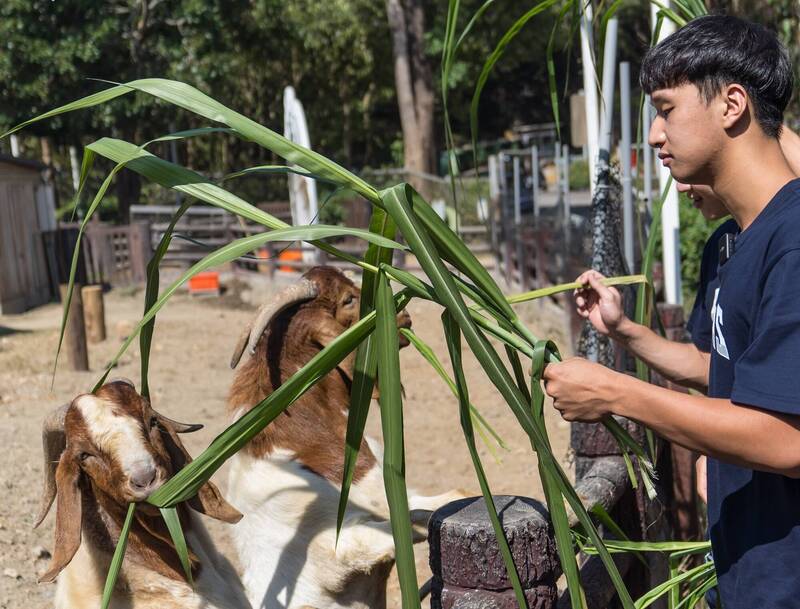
[{"x": 670, "y": 222}]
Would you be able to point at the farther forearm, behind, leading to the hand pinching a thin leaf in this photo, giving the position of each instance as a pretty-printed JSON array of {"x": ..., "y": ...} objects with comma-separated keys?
[{"x": 681, "y": 363}]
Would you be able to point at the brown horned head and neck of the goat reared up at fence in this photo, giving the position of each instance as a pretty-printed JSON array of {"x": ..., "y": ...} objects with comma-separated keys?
[{"x": 297, "y": 325}]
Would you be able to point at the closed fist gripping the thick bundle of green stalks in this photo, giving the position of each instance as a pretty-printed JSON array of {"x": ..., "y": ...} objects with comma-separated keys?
[{"x": 582, "y": 390}]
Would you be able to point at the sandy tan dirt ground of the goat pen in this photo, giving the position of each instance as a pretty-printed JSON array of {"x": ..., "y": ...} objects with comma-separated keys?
[{"x": 190, "y": 379}]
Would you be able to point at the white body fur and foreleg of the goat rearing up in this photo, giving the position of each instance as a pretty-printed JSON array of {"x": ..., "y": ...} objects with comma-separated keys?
[{"x": 287, "y": 538}]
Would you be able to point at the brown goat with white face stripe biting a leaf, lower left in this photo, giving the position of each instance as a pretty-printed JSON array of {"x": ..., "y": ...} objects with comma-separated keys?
[{"x": 102, "y": 452}]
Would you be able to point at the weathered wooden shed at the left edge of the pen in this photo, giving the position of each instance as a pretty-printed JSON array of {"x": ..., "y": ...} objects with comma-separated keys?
[{"x": 26, "y": 209}]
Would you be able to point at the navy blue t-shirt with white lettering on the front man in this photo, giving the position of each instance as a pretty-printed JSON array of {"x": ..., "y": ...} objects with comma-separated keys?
[{"x": 754, "y": 516}]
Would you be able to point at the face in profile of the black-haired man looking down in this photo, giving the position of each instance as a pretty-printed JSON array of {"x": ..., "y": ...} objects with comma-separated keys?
[{"x": 687, "y": 133}]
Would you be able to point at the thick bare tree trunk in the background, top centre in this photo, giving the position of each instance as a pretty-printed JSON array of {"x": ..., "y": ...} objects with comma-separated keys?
[{"x": 413, "y": 82}]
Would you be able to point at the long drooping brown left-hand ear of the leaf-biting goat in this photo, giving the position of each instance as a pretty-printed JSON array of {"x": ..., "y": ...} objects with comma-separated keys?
[{"x": 68, "y": 516}]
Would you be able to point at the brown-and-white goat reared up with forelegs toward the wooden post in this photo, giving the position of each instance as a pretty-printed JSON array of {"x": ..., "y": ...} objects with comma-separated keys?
[{"x": 286, "y": 481}]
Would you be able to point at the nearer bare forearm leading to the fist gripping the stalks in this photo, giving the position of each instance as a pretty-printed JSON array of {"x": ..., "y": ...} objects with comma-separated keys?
[{"x": 741, "y": 435}]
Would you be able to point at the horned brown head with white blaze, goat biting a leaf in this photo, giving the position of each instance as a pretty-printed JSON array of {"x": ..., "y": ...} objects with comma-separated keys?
[{"x": 114, "y": 445}]
